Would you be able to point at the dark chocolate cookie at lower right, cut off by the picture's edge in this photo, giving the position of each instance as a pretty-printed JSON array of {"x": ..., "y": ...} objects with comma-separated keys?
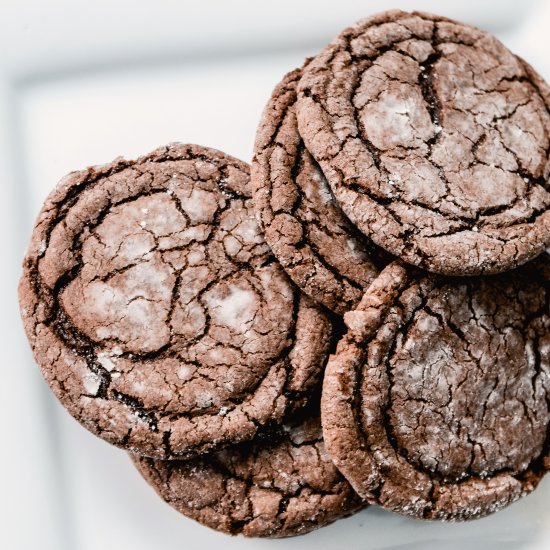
[{"x": 436, "y": 403}]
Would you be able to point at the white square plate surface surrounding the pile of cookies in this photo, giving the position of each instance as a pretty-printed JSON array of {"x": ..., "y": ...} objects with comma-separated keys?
[{"x": 82, "y": 82}]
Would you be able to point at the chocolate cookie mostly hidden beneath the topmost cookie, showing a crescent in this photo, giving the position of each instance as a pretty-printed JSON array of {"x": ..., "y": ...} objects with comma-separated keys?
[{"x": 316, "y": 244}]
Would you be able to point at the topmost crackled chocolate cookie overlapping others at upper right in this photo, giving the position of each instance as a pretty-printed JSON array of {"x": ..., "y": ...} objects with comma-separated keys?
[{"x": 435, "y": 140}]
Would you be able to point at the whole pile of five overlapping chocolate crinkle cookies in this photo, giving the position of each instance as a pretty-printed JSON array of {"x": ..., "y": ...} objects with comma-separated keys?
[{"x": 365, "y": 318}]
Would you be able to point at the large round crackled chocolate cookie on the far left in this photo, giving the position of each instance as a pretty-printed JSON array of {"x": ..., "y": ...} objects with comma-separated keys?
[{"x": 156, "y": 310}]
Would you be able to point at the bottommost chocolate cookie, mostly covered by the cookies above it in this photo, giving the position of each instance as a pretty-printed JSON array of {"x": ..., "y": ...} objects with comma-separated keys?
[{"x": 277, "y": 486}]
